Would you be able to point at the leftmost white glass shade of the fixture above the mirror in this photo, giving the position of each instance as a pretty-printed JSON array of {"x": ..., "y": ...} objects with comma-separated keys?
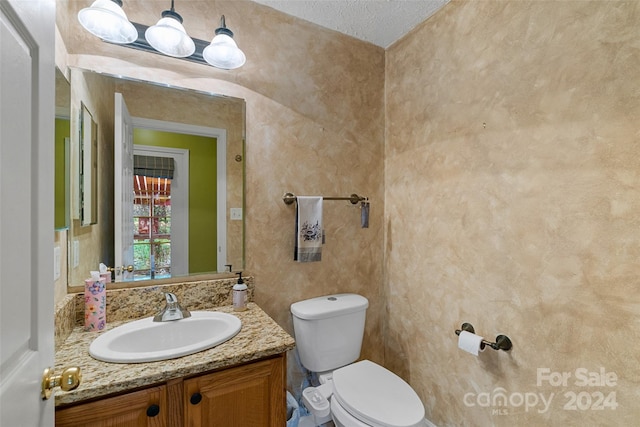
[{"x": 107, "y": 20}]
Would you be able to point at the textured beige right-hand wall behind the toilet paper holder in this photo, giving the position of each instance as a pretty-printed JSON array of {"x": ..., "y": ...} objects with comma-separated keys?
[{"x": 512, "y": 194}]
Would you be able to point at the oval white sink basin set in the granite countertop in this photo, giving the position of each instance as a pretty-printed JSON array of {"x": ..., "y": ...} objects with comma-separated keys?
[{"x": 148, "y": 341}]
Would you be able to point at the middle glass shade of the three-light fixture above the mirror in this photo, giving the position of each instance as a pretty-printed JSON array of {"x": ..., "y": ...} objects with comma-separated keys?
[{"x": 169, "y": 37}]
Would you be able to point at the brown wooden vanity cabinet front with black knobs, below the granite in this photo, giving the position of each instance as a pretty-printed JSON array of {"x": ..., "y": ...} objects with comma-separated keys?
[{"x": 251, "y": 395}]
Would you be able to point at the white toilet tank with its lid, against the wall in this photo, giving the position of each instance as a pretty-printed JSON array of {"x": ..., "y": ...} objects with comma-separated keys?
[{"x": 329, "y": 330}]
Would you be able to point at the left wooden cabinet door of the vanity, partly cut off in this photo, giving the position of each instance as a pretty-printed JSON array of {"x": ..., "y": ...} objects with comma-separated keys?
[{"x": 144, "y": 408}]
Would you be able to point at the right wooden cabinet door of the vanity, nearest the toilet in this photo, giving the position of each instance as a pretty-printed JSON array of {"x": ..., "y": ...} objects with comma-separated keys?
[{"x": 251, "y": 395}]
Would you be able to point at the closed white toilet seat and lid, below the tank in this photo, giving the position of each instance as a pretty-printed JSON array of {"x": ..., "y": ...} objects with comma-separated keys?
[{"x": 377, "y": 396}]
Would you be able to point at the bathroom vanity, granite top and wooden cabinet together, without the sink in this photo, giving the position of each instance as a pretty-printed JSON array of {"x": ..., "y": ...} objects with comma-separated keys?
[{"x": 241, "y": 382}]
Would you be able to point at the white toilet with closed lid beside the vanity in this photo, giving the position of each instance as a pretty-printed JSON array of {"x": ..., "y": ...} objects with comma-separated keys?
[{"x": 328, "y": 332}]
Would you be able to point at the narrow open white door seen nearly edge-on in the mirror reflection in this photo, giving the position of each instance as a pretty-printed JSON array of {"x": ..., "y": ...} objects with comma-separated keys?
[{"x": 123, "y": 189}]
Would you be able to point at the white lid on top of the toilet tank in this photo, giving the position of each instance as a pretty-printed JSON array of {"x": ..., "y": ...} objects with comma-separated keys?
[{"x": 329, "y": 306}]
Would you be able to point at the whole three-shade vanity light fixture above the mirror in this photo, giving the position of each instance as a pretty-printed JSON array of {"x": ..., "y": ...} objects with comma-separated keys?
[{"x": 107, "y": 20}]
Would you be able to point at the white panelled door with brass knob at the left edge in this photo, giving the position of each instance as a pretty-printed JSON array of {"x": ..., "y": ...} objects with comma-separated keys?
[{"x": 27, "y": 112}]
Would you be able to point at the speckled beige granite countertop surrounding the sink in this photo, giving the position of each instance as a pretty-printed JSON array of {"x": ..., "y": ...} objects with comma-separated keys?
[{"x": 259, "y": 337}]
